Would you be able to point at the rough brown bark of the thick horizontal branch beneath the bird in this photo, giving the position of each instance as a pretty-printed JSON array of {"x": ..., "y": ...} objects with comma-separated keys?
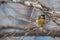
[{"x": 36, "y": 32}]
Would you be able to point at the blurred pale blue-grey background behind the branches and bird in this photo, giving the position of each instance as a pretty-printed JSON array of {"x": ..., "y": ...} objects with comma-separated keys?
[{"x": 16, "y": 14}]
